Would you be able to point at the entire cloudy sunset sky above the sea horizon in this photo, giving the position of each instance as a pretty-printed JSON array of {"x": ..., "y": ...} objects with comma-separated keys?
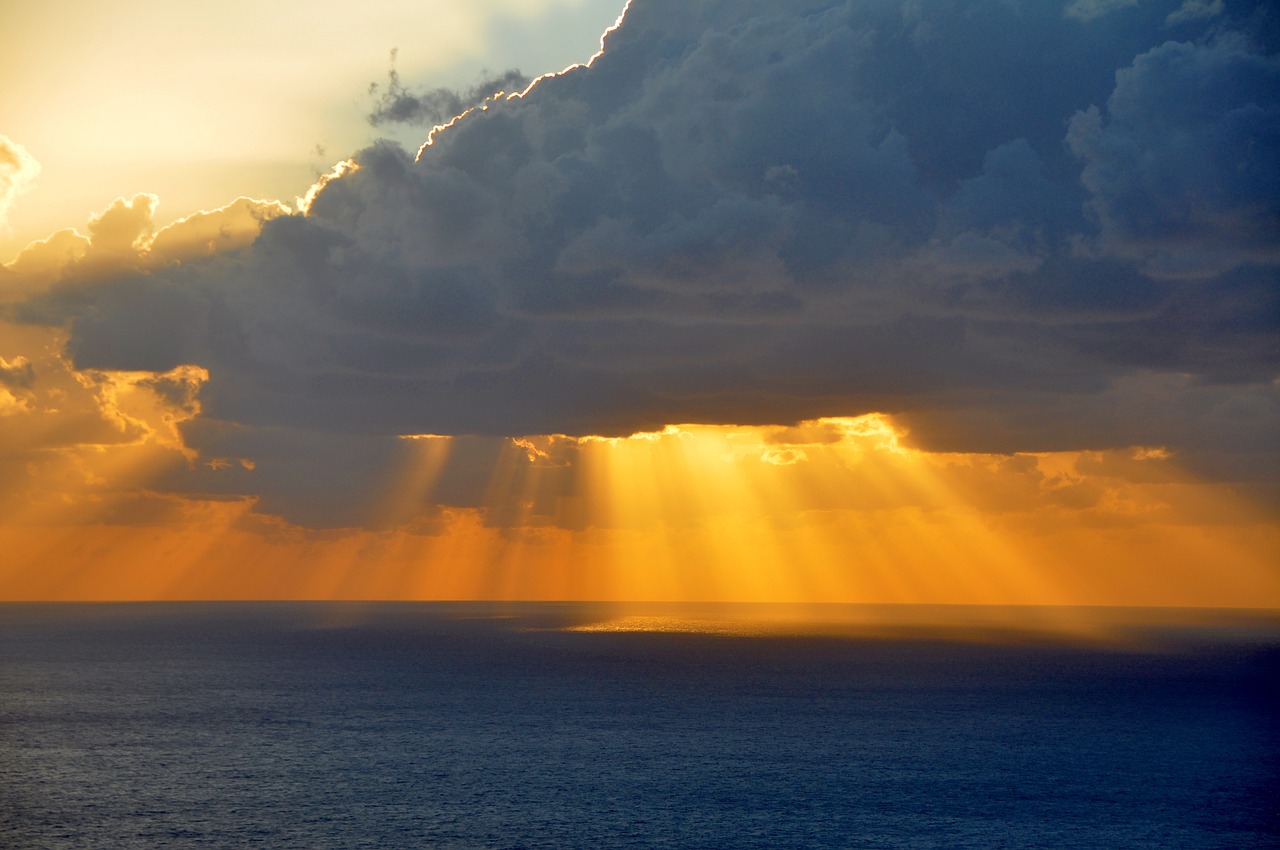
[{"x": 751, "y": 301}]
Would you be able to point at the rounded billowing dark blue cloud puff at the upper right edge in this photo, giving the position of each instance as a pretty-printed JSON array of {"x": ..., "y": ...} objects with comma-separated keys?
[{"x": 1185, "y": 168}]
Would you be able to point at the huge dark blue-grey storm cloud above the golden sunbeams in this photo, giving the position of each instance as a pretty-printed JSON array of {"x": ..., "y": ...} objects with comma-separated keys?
[{"x": 996, "y": 216}]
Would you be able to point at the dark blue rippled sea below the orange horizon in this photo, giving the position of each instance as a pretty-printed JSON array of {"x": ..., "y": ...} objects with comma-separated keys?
[{"x": 447, "y": 726}]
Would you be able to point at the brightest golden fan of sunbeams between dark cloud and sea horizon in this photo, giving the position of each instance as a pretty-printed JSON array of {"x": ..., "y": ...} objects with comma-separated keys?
[{"x": 760, "y": 514}]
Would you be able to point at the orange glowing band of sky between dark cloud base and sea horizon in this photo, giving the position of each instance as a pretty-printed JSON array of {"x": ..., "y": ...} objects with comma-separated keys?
[{"x": 834, "y": 510}]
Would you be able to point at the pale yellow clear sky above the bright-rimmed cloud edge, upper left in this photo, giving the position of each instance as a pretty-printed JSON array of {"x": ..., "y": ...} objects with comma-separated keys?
[{"x": 204, "y": 103}]
